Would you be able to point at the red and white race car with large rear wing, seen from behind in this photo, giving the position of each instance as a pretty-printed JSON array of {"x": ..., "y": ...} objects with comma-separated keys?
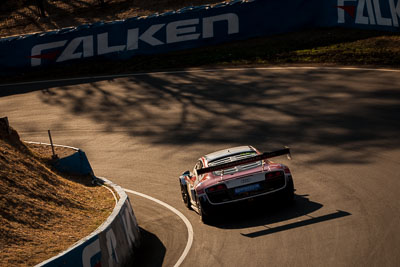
[{"x": 235, "y": 175}]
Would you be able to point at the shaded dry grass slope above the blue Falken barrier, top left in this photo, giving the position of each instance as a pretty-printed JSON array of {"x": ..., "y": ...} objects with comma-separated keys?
[{"x": 22, "y": 18}]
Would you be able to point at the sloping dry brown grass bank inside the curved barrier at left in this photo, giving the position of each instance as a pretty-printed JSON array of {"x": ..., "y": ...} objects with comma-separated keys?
[{"x": 41, "y": 212}]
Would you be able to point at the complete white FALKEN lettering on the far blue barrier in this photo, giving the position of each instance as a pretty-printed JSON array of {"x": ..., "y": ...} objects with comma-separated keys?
[{"x": 176, "y": 31}]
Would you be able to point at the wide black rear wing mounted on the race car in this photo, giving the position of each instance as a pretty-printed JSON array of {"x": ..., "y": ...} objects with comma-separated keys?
[{"x": 265, "y": 155}]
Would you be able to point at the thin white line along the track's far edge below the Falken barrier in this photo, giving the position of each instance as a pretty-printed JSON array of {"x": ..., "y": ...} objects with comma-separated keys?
[{"x": 197, "y": 70}]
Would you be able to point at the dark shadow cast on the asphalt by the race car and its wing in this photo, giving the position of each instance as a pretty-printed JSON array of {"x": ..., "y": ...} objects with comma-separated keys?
[{"x": 264, "y": 214}]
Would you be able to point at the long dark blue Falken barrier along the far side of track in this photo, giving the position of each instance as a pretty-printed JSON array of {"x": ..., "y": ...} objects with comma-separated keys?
[{"x": 193, "y": 27}]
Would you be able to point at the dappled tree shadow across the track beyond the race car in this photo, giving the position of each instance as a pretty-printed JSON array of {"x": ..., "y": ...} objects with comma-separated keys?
[{"x": 351, "y": 110}]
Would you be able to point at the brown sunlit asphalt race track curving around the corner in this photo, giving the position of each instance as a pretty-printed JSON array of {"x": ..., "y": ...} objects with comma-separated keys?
[{"x": 142, "y": 131}]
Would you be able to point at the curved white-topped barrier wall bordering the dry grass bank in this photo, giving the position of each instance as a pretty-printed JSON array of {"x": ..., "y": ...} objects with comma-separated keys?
[{"x": 113, "y": 243}]
